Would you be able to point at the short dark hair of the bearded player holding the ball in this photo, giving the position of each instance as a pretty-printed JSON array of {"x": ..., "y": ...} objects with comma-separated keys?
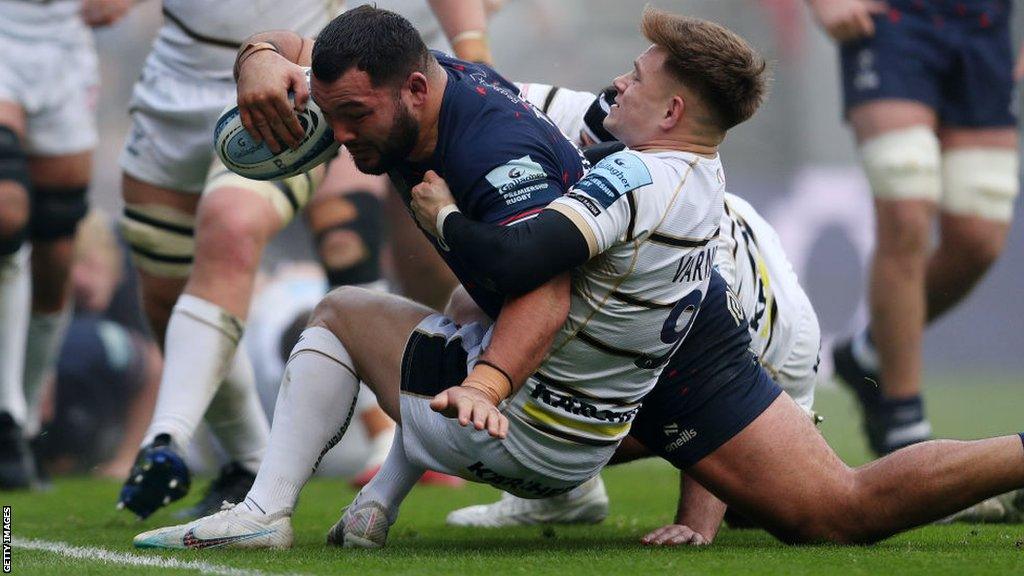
[{"x": 379, "y": 43}]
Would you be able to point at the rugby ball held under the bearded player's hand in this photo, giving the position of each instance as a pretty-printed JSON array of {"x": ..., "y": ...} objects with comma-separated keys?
[{"x": 254, "y": 160}]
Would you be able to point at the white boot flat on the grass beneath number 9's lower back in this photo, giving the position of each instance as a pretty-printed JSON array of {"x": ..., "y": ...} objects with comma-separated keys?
[{"x": 588, "y": 504}]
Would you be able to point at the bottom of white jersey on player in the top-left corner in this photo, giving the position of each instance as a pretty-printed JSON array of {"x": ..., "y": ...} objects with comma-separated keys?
[{"x": 55, "y": 21}]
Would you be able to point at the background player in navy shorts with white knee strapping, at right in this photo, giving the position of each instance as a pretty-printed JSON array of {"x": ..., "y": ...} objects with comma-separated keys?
[{"x": 928, "y": 94}]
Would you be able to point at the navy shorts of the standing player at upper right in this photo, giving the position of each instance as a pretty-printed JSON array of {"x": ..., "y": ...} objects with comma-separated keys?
[{"x": 955, "y": 57}]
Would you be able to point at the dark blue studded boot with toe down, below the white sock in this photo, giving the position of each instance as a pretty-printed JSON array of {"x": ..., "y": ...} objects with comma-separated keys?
[{"x": 158, "y": 478}]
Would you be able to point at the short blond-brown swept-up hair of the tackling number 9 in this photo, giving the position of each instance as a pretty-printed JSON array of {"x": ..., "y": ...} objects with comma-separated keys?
[{"x": 728, "y": 74}]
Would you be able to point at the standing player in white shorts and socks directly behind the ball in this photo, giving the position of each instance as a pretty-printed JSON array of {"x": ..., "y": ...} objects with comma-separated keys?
[{"x": 197, "y": 231}]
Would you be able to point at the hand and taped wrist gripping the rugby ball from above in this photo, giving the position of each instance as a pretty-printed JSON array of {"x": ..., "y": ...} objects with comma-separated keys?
[{"x": 269, "y": 67}]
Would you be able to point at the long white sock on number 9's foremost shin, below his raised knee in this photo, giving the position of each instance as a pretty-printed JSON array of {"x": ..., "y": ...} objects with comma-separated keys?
[{"x": 316, "y": 404}]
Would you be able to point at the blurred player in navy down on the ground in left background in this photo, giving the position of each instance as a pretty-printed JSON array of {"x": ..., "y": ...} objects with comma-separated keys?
[{"x": 97, "y": 408}]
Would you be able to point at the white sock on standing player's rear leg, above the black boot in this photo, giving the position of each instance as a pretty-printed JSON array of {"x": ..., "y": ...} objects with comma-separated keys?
[{"x": 237, "y": 418}]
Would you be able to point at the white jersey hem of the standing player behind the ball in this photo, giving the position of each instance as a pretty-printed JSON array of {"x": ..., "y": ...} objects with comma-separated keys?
[{"x": 200, "y": 38}]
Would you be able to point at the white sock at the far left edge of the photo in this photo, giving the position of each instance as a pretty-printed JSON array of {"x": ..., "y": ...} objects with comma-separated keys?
[{"x": 16, "y": 297}]
